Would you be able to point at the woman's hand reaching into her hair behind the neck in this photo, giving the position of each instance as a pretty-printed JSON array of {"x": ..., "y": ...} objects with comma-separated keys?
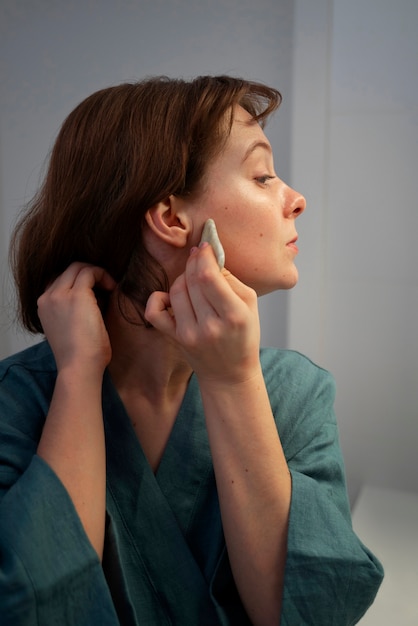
[{"x": 72, "y": 320}]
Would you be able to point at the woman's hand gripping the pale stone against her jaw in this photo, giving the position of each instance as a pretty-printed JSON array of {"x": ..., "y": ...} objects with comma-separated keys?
[{"x": 214, "y": 318}]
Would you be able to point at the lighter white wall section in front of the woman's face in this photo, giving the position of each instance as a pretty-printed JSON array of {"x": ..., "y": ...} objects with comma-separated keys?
[{"x": 355, "y": 154}]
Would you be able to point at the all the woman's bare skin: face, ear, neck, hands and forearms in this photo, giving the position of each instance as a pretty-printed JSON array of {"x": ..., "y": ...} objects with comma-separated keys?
[{"x": 207, "y": 323}]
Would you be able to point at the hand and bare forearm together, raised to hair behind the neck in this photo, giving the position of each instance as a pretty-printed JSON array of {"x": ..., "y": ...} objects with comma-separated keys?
[{"x": 72, "y": 441}]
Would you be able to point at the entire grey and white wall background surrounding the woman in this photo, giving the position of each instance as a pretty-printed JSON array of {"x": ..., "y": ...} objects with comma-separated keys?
[{"x": 347, "y": 136}]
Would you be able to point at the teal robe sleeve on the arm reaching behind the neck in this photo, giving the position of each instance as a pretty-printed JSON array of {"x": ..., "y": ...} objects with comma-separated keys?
[{"x": 49, "y": 571}]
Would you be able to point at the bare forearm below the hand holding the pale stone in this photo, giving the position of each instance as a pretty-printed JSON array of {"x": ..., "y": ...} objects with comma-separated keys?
[{"x": 254, "y": 487}]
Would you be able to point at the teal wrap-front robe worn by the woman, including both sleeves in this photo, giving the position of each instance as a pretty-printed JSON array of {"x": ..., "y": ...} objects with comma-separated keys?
[{"x": 165, "y": 561}]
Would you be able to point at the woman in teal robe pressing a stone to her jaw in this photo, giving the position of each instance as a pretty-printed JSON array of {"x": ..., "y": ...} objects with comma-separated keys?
[{"x": 157, "y": 468}]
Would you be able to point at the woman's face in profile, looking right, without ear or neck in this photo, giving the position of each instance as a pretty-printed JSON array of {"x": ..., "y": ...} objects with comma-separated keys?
[{"x": 253, "y": 209}]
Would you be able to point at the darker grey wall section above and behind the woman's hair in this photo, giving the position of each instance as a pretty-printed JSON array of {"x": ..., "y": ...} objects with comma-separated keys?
[{"x": 56, "y": 52}]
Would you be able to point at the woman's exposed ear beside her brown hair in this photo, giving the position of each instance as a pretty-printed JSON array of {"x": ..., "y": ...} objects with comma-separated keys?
[{"x": 169, "y": 221}]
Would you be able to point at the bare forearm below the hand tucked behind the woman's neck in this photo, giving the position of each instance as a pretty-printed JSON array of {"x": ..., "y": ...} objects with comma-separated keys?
[{"x": 72, "y": 443}]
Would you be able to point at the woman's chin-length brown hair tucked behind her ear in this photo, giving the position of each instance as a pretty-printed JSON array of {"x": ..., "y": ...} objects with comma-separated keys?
[{"x": 119, "y": 152}]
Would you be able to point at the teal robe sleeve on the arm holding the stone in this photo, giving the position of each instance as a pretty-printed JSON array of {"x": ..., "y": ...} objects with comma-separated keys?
[{"x": 331, "y": 577}]
